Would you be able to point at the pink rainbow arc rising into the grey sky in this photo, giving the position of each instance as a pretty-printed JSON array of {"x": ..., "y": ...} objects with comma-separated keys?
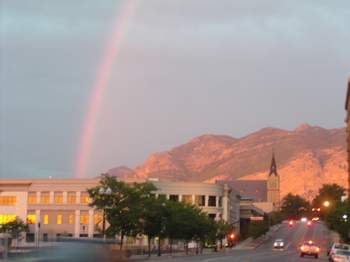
[{"x": 104, "y": 70}]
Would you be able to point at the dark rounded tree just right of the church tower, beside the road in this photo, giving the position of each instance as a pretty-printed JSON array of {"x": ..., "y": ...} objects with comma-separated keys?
[{"x": 294, "y": 206}]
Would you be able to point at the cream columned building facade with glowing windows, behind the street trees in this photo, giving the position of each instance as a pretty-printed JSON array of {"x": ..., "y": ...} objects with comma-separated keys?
[{"x": 60, "y": 207}]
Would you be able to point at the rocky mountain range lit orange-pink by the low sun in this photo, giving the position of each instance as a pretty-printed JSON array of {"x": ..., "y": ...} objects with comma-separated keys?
[{"x": 306, "y": 157}]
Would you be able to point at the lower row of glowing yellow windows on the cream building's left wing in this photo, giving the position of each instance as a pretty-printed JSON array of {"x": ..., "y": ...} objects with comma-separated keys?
[{"x": 60, "y": 218}]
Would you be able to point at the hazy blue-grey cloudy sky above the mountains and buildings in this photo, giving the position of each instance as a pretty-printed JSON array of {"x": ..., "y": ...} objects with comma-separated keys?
[{"x": 181, "y": 68}]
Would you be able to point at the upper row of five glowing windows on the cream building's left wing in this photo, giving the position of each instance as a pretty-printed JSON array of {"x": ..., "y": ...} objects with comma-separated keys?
[{"x": 57, "y": 198}]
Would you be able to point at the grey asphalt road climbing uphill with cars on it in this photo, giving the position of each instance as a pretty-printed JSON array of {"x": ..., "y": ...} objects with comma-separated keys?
[{"x": 293, "y": 238}]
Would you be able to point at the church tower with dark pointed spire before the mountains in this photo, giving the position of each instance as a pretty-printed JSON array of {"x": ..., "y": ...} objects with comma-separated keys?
[{"x": 273, "y": 185}]
